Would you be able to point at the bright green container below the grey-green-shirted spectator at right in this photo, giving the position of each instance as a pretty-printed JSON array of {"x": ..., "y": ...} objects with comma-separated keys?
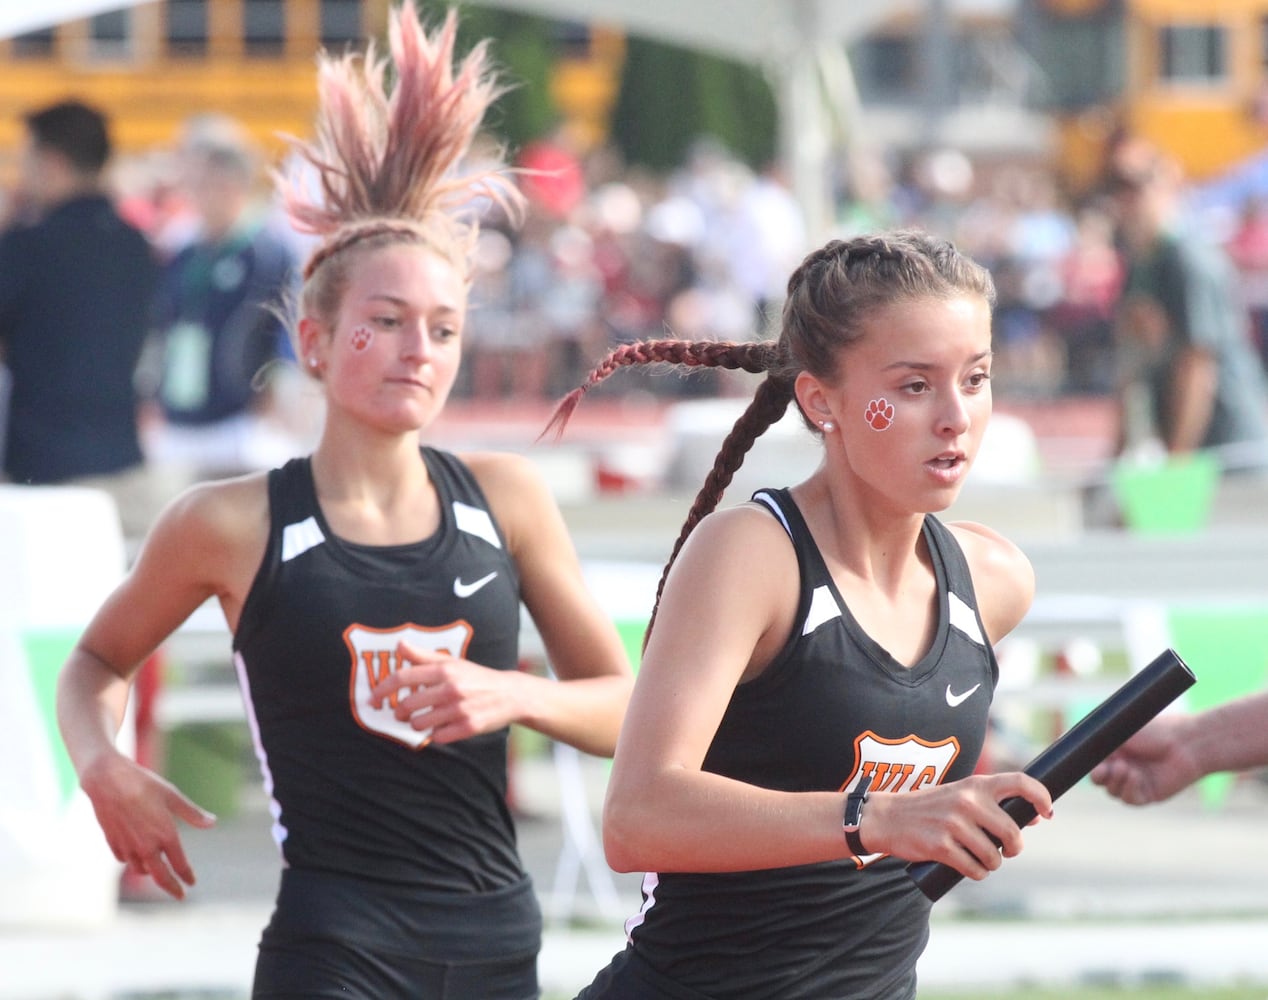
[{"x": 1172, "y": 497}]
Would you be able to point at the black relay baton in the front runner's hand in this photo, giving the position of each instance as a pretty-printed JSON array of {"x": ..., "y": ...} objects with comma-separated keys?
[{"x": 1085, "y": 746}]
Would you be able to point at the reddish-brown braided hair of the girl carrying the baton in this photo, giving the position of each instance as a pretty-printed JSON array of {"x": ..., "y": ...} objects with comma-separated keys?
[{"x": 830, "y": 297}]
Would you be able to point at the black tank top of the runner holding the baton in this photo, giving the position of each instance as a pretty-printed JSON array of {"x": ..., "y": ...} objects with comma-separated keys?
[{"x": 834, "y": 709}]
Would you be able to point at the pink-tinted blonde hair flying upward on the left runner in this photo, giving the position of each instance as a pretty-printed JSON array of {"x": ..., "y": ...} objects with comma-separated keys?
[{"x": 389, "y": 159}]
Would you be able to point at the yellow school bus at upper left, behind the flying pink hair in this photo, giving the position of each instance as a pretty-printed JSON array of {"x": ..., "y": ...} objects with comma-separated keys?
[{"x": 153, "y": 65}]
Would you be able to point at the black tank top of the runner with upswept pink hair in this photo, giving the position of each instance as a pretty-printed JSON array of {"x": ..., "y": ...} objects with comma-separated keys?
[{"x": 354, "y": 792}]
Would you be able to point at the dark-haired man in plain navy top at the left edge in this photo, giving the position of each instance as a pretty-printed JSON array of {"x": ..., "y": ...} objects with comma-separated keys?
[{"x": 75, "y": 290}]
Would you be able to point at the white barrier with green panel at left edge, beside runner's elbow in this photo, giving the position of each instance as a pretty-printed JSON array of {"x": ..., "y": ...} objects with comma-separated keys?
[{"x": 61, "y": 553}]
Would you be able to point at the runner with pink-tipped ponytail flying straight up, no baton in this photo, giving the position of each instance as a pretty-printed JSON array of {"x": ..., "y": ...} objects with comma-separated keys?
[{"x": 373, "y": 589}]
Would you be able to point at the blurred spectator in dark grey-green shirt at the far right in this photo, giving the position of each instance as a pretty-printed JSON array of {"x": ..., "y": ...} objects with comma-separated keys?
[{"x": 1182, "y": 329}]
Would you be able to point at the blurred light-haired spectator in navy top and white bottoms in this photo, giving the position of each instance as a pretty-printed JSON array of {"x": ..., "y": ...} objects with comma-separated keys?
[{"x": 217, "y": 316}]
